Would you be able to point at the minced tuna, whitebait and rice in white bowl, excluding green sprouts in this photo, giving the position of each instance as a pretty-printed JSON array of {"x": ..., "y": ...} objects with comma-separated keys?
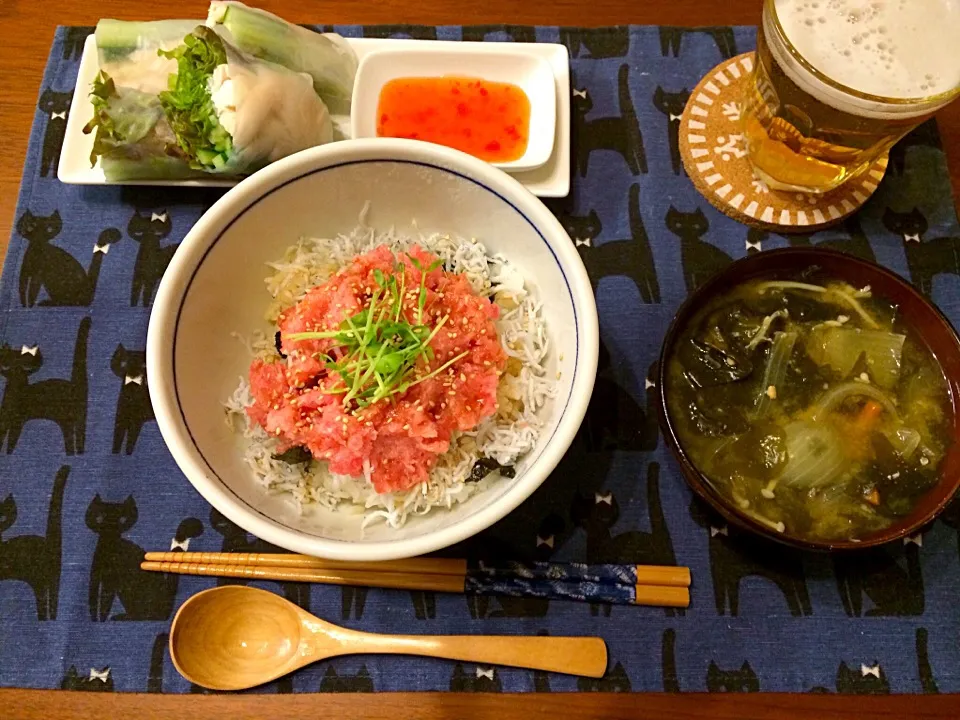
[{"x": 443, "y": 446}]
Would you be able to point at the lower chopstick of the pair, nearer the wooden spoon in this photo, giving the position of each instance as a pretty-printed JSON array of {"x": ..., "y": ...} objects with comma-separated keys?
[{"x": 468, "y": 583}]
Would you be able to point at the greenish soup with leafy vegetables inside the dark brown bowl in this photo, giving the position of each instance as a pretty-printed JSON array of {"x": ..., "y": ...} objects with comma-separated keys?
[{"x": 811, "y": 405}]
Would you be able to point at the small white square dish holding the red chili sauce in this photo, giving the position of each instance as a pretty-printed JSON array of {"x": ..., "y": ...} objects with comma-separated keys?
[{"x": 493, "y": 62}]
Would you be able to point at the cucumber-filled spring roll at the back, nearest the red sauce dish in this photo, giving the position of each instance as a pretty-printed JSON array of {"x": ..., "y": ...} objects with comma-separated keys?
[{"x": 326, "y": 57}]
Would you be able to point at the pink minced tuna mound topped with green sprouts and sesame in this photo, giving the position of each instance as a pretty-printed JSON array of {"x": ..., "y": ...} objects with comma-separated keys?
[{"x": 383, "y": 363}]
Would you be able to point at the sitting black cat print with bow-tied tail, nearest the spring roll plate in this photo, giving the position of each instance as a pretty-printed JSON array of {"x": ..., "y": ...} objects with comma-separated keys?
[{"x": 54, "y": 270}]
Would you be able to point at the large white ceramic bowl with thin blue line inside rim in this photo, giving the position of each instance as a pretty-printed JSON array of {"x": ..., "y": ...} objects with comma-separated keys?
[{"x": 214, "y": 287}]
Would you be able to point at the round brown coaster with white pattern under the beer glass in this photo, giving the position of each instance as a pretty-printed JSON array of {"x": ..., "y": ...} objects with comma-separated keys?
[{"x": 713, "y": 152}]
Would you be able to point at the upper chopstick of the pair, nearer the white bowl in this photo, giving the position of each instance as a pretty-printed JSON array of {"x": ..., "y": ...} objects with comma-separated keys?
[{"x": 664, "y": 575}]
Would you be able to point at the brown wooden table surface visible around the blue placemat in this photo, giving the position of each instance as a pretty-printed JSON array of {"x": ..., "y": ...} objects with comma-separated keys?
[{"x": 26, "y": 31}]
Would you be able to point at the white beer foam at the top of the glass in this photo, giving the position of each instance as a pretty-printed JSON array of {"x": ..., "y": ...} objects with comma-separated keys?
[{"x": 903, "y": 49}]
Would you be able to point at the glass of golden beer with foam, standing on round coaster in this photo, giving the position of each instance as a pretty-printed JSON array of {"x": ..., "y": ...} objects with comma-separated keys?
[{"x": 837, "y": 82}]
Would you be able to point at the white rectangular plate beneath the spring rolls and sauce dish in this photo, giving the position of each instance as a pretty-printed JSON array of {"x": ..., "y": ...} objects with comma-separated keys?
[{"x": 549, "y": 180}]
